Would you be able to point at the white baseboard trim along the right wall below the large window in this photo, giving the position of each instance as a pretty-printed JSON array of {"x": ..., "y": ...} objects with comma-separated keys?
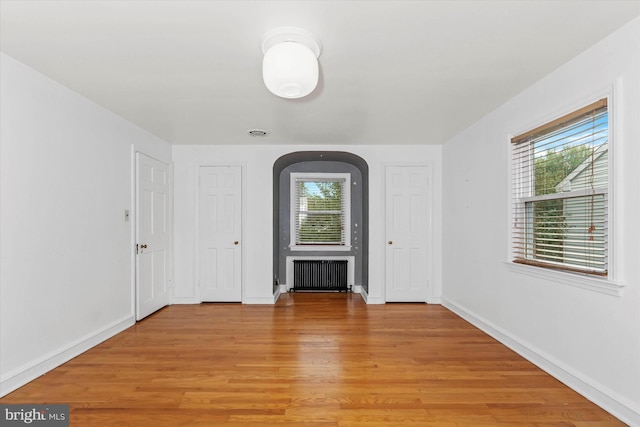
[{"x": 627, "y": 411}]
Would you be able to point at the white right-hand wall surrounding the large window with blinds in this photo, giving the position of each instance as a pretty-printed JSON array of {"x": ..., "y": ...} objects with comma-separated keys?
[{"x": 588, "y": 339}]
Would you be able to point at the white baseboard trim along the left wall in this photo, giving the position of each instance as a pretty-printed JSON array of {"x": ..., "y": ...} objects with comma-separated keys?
[{"x": 30, "y": 371}]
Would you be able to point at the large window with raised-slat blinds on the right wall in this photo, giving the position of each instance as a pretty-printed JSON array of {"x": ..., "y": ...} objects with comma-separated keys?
[{"x": 560, "y": 182}]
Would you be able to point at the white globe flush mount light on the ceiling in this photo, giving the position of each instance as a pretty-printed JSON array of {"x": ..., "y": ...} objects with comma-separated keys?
[{"x": 290, "y": 64}]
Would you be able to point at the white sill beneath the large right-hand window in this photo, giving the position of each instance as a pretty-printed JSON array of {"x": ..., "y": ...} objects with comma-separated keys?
[{"x": 600, "y": 285}]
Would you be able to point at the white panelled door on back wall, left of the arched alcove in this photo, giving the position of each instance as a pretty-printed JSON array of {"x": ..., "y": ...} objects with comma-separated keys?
[{"x": 219, "y": 233}]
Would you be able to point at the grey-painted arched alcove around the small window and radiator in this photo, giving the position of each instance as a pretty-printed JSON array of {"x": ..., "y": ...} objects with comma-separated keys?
[{"x": 321, "y": 162}]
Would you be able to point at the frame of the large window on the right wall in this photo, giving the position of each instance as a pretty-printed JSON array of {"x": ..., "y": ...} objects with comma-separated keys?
[{"x": 521, "y": 195}]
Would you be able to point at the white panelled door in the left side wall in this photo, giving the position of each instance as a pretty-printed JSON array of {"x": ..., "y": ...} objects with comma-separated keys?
[{"x": 153, "y": 234}]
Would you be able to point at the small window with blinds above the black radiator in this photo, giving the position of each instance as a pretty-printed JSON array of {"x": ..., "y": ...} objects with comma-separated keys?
[{"x": 320, "y": 210}]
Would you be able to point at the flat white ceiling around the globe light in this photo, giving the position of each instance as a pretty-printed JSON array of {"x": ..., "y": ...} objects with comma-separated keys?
[{"x": 392, "y": 72}]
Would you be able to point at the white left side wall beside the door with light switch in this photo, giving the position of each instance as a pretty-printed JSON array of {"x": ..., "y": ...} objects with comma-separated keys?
[{"x": 65, "y": 248}]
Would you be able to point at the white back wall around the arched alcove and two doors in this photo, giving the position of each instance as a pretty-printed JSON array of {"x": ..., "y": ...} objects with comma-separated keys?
[{"x": 257, "y": 162}]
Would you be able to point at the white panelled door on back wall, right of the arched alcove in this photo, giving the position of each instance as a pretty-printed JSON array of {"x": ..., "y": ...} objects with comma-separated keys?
[{"x": 407, "y": 233}]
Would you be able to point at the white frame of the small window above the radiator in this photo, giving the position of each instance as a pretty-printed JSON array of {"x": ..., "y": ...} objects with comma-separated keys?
[{"x": 345, "y": 178}]
